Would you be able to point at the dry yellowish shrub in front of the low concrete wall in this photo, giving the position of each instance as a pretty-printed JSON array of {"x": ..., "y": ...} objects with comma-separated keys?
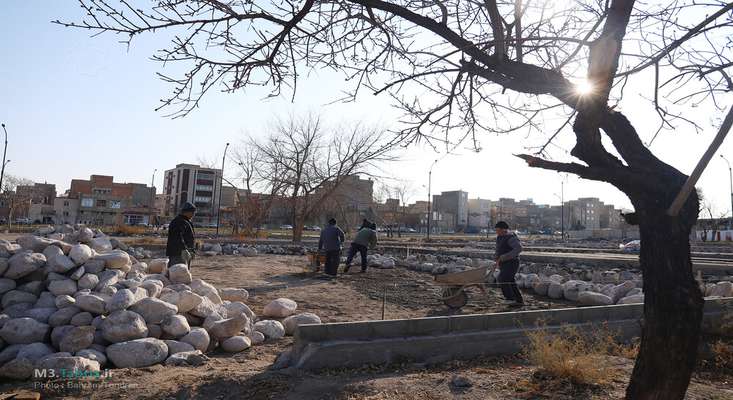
[{"x": 579, "y": 358}]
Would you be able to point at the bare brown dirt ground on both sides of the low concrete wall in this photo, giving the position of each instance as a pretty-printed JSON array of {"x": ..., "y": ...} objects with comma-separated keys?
[{"x": 352, "y": 297}]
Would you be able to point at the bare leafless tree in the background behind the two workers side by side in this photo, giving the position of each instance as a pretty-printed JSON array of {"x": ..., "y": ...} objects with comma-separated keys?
[{"x": 309, "y": 162}]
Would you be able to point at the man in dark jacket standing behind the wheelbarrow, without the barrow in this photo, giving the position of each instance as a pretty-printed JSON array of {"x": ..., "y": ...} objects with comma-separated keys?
[{"x": 506, "y": 256}]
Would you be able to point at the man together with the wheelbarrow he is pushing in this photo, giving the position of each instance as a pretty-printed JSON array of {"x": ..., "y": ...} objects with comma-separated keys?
[{"x": 506, "y": 256}]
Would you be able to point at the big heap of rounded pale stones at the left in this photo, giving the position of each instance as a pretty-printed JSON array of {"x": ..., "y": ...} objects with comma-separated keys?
[{"x": 74, "y": 300}]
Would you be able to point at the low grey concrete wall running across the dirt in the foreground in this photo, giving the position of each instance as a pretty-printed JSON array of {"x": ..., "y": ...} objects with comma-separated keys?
[{"x": 439, "y": 339}]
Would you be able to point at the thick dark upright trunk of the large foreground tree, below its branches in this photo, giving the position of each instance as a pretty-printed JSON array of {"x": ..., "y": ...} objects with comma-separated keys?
[{"x": 673, "y": 305}]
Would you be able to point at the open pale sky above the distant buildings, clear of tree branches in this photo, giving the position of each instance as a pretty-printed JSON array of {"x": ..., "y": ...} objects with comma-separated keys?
[{"x": 76, "y": 106}]
